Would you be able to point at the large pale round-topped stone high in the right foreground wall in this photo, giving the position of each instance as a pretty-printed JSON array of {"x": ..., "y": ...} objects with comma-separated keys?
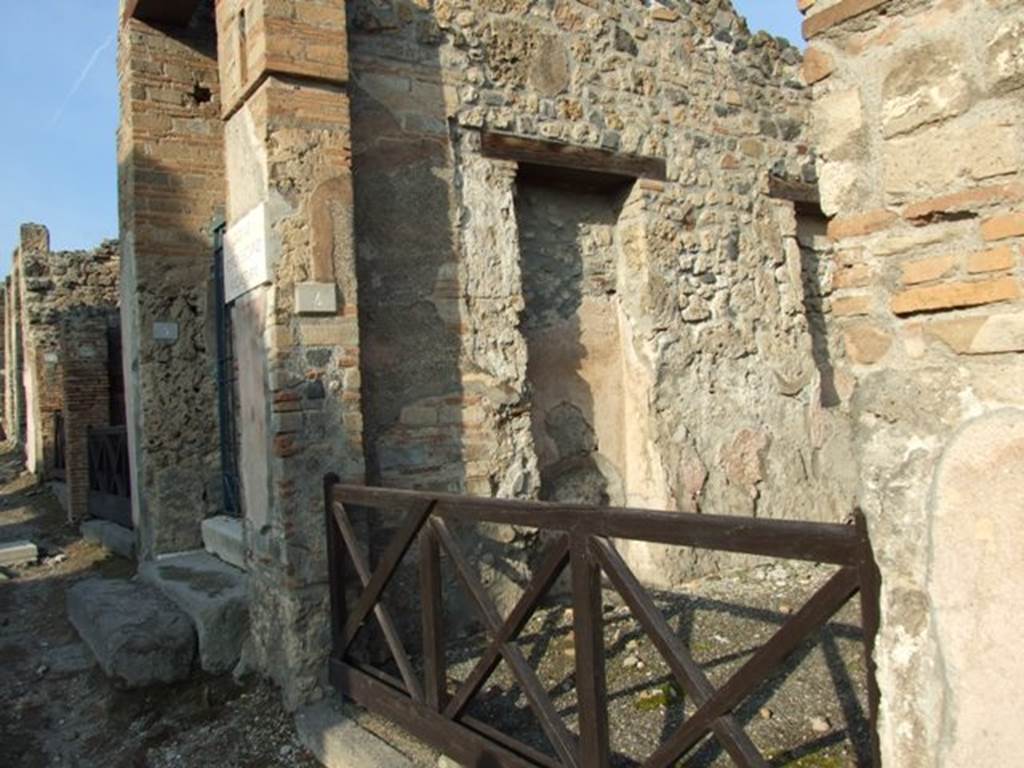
[{"x": 925, "y": 86}]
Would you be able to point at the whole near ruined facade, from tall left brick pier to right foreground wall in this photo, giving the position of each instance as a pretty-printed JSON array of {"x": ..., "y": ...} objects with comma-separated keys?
[{"x": 577, "y": 251}]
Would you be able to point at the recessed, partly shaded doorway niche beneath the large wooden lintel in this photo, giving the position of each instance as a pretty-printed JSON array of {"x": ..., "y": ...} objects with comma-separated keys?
[{"x": 570, "y": 258}]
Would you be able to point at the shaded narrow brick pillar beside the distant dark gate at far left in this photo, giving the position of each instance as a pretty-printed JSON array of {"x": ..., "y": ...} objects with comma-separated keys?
[{"x": 86, "y": 386}]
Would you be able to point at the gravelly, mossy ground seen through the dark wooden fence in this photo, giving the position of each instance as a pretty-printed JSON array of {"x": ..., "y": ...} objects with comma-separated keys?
[{"x": 810, "y": 715}]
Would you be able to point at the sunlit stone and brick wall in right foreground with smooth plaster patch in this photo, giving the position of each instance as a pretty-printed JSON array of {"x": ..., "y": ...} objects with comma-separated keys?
[{"x": 918, "y": 116}]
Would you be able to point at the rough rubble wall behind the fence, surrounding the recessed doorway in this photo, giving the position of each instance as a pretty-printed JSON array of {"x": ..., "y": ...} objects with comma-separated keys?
[{"x": 724, "y": 377}]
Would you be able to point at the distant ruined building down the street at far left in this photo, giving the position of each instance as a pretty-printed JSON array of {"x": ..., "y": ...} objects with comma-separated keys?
[{"x": 61, "y": 314}]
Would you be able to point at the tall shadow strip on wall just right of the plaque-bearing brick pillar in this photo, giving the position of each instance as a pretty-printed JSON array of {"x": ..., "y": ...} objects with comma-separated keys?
[{"x": 410, "y": 297}]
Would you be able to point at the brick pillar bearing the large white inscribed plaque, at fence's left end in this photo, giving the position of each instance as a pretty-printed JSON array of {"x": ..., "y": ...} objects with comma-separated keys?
[{"x": 291, "y": 273}]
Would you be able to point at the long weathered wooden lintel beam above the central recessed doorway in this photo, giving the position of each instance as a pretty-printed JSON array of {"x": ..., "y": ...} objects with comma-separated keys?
[{"x": 537, "y": 152}]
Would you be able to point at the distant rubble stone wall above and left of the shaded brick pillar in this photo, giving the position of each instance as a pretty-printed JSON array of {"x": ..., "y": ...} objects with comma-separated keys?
[{"x": 51, "y": 287}]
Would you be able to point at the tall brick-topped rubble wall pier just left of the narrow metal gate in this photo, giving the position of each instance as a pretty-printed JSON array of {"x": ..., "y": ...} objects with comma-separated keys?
[{"x": 170, "y": 153}]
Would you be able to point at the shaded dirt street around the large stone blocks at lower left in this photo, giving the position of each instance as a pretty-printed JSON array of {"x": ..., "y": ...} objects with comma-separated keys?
[{"x": 57, "y": 709}]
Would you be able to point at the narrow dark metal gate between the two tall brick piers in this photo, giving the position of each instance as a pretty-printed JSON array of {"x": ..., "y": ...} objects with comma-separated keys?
[{"x": 227, "y": 381}]
